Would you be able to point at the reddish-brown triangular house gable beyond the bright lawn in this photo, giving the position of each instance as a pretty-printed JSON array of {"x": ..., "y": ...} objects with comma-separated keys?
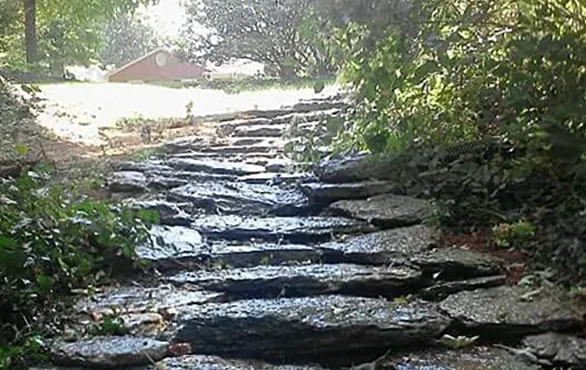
[{"x": 148, "y": 70}]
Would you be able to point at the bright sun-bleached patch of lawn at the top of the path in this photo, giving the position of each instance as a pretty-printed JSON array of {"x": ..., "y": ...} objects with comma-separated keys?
[{"x": 76, "y": 111}]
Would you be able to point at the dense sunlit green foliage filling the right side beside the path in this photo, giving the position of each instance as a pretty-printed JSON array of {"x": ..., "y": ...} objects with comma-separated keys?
[{"x": 446, "y": 72}]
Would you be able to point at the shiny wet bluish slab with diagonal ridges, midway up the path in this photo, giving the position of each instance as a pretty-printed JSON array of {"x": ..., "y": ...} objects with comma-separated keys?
[{"x": 239, "y": 197}]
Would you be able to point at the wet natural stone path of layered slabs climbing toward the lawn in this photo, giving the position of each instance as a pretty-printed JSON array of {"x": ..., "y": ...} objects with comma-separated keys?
[{"x": 261, "y": 269}]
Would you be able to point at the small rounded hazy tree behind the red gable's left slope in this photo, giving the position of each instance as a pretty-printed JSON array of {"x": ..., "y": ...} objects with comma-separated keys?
[{"x": 127, "y": 37}]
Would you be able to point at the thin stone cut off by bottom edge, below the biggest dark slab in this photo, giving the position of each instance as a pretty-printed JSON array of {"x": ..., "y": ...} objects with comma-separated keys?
[{"x": 202, "y": 362}]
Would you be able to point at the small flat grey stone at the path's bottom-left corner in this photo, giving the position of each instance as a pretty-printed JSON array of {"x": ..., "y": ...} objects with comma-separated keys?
[{"x": 111, "y": 352}]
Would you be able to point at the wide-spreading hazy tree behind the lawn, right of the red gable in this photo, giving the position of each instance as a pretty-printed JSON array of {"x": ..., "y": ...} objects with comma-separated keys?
[{"x": 287, "y": 36}]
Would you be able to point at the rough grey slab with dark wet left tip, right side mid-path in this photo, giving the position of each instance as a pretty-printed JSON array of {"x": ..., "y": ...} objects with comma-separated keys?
[{"x": 381, "y": 247}]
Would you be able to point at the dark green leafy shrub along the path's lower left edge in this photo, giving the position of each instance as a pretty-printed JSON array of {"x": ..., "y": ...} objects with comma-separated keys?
[{"x": 52, "y": 241}]
